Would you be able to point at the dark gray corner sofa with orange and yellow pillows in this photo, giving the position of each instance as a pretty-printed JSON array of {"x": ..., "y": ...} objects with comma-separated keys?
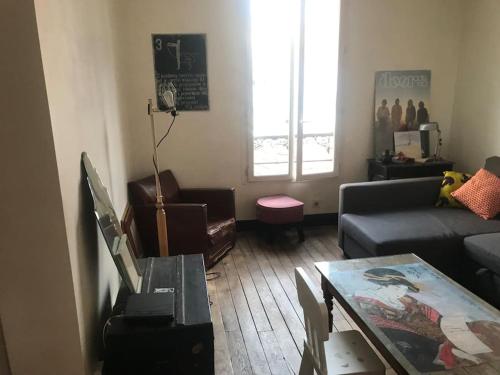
[{"x": 398, "y": 216}]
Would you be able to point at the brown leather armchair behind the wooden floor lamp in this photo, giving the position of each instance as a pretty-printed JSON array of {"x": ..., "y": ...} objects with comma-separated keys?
[{"x": 198, "y": 220}]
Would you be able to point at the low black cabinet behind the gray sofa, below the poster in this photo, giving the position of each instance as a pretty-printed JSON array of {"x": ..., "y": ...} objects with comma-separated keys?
[{"x": 380, "y": 171}]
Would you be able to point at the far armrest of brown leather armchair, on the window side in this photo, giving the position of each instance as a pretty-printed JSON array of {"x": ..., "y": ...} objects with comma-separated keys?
[{"x": 220, "y": 202}]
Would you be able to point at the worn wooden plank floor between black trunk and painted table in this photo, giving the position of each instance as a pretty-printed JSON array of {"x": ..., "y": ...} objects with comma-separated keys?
[{"x": 258, "y": 322}]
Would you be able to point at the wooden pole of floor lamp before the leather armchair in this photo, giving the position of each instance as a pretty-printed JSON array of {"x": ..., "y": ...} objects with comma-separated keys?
[{"x": 161, "y": 217}]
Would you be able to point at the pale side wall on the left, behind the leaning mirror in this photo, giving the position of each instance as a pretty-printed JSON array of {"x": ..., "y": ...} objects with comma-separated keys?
[{"x": 79, "y": 64}]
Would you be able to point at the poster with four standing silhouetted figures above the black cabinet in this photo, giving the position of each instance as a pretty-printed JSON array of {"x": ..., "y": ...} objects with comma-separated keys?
[{"x": 401, "y": 104}]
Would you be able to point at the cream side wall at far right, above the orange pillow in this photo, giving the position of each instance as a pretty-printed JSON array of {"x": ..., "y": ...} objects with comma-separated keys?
[{"x": 476, "y": 115}]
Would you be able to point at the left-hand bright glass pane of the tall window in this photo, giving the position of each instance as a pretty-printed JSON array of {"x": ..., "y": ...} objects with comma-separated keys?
[{"x": 272, "y": 26}]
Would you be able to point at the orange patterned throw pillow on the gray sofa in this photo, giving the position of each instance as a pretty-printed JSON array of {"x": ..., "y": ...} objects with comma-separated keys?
[{"x": 481, "y": 194}]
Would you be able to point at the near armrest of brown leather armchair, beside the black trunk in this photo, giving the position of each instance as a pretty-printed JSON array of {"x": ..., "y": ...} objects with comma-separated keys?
[{"x": 187, "y": 227}]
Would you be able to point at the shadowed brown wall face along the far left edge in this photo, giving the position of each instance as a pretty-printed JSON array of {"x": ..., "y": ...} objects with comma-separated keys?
[{"x": 37, "y": 302}]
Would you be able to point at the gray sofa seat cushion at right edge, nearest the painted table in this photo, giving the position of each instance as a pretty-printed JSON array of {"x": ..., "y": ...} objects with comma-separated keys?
[{"x": 485, "y": 250}]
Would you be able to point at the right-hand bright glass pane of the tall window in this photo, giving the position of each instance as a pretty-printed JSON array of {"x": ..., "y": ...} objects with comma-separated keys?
[{"x": 321, "y": 44}]
